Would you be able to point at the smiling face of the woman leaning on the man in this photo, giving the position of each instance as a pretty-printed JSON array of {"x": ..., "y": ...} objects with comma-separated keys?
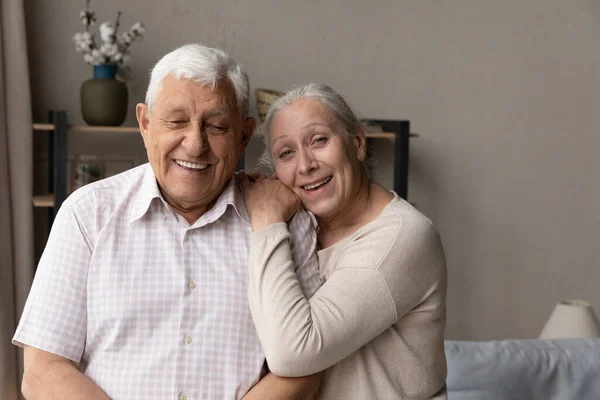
[{"x": 315, "y": 157}]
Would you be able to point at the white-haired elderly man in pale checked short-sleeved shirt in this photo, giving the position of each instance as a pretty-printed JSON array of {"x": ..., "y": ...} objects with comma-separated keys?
[{"x": 141, "y": 290}]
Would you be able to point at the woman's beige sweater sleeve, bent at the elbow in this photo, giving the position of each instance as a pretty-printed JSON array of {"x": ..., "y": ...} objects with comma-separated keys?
[{"x": 372, "y": 286}]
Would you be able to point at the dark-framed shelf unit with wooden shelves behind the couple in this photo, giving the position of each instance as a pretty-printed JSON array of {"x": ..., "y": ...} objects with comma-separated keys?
[{"x": 397, "y": 130}]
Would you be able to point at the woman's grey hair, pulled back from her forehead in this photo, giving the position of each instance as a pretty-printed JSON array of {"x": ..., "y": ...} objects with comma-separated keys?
[{"x": 332, "y": 101}]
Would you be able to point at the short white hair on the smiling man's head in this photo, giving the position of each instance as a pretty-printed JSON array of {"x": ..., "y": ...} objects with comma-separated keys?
[{"x": 200, "y": 64}]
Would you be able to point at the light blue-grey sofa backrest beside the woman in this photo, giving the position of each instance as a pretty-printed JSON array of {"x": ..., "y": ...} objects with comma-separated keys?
[{"x": 523, "y": 369}]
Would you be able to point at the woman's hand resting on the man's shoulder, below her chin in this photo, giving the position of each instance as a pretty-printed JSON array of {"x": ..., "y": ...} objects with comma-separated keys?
[{"x": 268, "y": 201}]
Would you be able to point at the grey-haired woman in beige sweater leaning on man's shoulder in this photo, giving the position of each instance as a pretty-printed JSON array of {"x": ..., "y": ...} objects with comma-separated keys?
[{"x": 377, "y": 323}]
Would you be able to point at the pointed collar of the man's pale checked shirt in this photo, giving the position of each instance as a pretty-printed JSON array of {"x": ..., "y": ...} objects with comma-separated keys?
[{"x": 148, "y": 191}]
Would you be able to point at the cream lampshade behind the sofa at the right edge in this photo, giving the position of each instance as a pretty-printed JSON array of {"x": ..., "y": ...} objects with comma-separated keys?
[{"x": 571, "y": 319}]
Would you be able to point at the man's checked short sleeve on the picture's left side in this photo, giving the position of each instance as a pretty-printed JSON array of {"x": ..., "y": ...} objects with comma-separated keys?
[{"x": 54, "y": 318}]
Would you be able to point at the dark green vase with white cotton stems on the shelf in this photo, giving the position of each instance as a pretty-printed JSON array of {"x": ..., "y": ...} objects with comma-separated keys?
[{"x": 104, "y": 98}]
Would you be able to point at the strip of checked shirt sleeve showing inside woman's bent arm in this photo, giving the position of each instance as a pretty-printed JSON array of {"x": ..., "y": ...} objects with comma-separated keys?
[{"x": 304, "y": 252}]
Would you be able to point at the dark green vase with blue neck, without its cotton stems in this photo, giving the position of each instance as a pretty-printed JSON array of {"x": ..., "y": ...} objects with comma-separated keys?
[{"x": 103, "y": 98}]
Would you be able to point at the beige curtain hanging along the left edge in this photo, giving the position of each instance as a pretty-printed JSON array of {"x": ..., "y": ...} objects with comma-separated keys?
[{"x": 16, "y": 182}]
